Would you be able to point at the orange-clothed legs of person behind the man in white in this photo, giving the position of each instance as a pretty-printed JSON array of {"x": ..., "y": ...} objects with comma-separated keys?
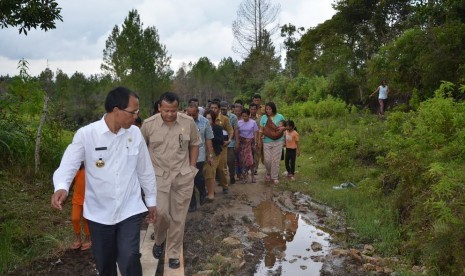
[{"x": 76, "y": 212}]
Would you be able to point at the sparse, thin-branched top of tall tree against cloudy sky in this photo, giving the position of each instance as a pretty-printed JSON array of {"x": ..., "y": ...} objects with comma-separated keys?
[{"x": 254, "y": 18}]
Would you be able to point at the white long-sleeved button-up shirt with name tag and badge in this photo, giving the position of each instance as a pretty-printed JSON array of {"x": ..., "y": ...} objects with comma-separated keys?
[{"x": 113, "y": 191}]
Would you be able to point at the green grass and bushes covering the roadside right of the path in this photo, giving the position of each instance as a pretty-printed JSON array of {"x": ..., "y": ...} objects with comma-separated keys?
[{"x": 408, "y": 170}]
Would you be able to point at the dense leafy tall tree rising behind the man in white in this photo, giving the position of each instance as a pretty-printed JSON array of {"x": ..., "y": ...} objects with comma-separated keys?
[{"x": 134, "y": 56}]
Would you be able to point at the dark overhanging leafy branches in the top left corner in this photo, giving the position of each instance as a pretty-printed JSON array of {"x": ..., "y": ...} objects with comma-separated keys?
[{"x": 27, "y": 14}]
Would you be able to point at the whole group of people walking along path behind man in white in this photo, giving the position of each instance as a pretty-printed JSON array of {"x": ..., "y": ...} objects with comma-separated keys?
[{"x": 171, "y": 153}]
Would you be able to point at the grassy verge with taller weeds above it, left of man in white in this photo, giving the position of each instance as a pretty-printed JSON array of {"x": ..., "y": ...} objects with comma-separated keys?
[{"x": 29, "y": 227}]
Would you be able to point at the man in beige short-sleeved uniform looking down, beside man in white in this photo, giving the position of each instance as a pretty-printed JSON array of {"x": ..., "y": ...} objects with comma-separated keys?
[{"x": 173, "y": 141}]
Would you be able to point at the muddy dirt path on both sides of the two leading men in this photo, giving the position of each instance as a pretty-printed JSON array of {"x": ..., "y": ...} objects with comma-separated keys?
[{"x": 254, "y": 230}]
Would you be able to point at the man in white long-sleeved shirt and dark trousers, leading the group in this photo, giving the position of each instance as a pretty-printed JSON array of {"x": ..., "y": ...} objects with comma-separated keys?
[{"x": 117, "y": 166}]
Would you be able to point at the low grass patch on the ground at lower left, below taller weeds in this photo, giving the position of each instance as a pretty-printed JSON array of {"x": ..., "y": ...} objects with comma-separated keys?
[{"x": 29, "y": 228}]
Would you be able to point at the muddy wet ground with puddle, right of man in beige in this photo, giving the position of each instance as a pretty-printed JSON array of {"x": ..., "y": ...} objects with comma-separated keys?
[{"x": 257, "y": 229}]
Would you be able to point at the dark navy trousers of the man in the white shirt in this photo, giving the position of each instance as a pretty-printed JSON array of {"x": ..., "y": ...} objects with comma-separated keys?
[{"x": 117, "y": 243}]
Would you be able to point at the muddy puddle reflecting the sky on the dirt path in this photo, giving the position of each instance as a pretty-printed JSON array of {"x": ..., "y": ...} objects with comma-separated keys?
[{"x": 288, "y": 245}]
